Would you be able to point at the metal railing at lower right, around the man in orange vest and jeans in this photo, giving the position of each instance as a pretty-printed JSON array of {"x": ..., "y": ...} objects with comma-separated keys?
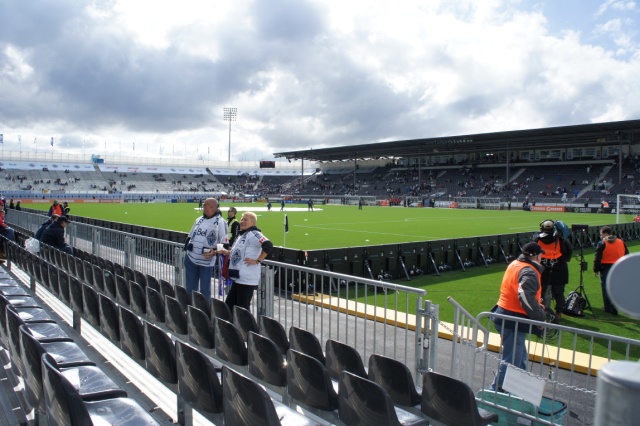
[{"x": 563, "y": 357}]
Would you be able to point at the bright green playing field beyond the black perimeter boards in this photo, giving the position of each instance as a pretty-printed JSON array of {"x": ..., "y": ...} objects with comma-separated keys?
[{"x": 343, "y": 226}]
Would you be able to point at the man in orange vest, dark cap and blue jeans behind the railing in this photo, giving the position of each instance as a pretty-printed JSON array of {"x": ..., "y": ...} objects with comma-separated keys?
[{"x": 519, "y": 297}]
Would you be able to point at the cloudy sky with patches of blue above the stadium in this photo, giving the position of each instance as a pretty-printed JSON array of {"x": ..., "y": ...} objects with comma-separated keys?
[{"x": 138, "y": 77}]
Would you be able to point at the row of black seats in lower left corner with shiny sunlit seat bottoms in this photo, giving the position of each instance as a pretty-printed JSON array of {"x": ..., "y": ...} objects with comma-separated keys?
[{"x": 61, "y": 382}]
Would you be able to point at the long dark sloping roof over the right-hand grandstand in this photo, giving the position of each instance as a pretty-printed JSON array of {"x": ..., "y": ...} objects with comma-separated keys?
[{"x": 552, "y": 137}]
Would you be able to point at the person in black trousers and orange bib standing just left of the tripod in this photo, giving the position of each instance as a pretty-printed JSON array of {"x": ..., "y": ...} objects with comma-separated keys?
[{"x": 558, "y": 252}]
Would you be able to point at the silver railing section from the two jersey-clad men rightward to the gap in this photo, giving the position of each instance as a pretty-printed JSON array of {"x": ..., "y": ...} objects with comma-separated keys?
[{"x": 371, "y": 316}]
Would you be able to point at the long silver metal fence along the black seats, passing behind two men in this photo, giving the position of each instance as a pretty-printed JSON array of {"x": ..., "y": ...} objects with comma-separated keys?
[{"x": 372, "y": 316}]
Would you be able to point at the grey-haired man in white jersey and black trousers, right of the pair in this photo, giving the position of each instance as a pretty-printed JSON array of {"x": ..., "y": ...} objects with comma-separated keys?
[{"x": 249, "y": 250}]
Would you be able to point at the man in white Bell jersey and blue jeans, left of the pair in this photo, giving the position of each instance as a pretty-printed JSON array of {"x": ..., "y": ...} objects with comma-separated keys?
[{"x": 207, "y": 232}]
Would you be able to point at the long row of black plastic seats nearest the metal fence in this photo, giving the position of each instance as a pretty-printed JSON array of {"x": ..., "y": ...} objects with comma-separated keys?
[{"x": 205, "y": 339}]
